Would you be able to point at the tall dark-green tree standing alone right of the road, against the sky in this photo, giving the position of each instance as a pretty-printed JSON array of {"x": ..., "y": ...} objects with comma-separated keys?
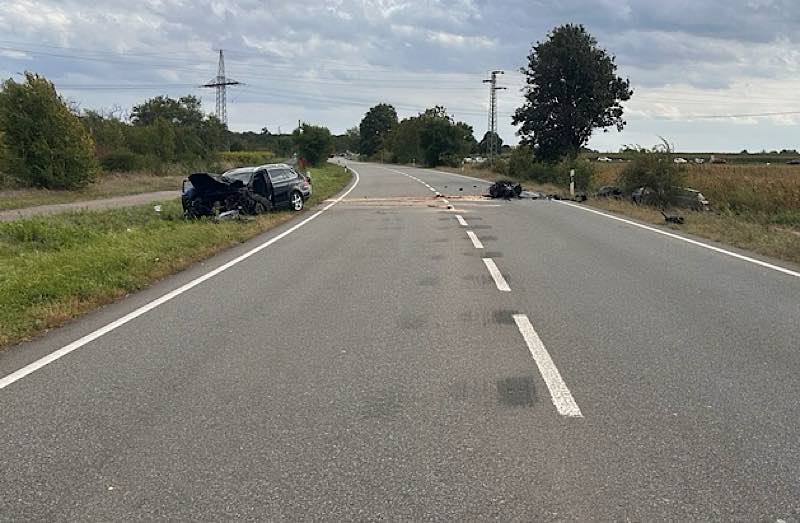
[{"x": 572, "y": 88}]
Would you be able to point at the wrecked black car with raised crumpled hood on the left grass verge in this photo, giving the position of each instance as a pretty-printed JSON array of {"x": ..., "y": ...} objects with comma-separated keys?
[{"x": 249, "y": 190}]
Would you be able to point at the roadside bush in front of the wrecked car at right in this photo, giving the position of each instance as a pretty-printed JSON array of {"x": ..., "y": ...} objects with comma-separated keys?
[{"x": 654, "y": 168}]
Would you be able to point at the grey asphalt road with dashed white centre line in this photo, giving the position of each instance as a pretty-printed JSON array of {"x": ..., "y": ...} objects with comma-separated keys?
[{"x": 380, "y": 363}]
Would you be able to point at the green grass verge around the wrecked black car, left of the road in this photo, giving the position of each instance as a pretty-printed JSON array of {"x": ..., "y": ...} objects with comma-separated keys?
[{"x": 55, "y": 268}]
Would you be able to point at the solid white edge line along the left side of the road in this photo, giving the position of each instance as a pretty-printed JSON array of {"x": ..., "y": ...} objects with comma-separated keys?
[{"x": 63, "y": 351}]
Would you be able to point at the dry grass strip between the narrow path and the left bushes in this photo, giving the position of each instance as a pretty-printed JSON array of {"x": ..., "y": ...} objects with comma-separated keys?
[{"x": 107, "y": 186}]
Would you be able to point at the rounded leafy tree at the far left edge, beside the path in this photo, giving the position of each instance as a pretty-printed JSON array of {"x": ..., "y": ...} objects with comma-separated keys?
[{"x": 45, "y": 144}]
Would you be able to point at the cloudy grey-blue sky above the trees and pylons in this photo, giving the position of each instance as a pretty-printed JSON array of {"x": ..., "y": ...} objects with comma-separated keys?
[{"x": 694, "y": 64}]
